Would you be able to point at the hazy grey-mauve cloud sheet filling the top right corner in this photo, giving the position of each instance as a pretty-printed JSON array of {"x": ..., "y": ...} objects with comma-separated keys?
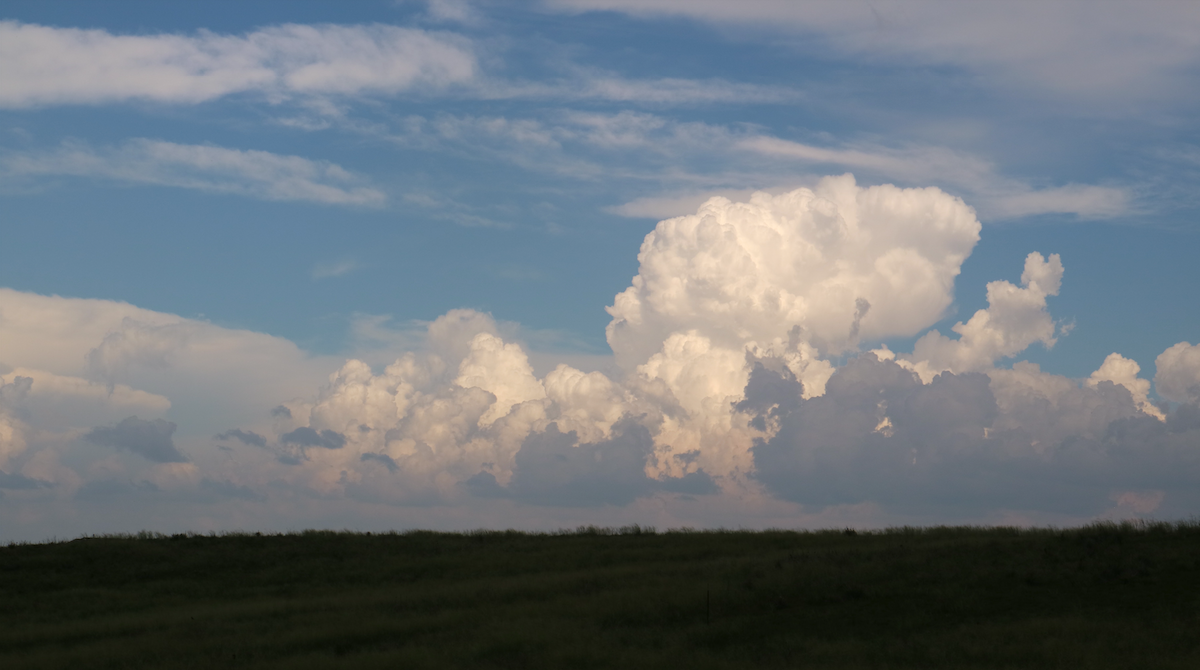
[{"x": 1114, "y": 52}]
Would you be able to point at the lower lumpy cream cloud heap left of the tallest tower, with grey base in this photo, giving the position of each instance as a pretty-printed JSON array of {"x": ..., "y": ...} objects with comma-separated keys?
[{"x": 467, "y": 417}]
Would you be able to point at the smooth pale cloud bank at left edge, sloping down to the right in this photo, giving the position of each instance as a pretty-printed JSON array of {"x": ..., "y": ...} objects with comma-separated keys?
[{"x": 97, "y": 362}]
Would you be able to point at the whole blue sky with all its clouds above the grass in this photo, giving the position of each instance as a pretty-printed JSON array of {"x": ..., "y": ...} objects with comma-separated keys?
[{"x": 452, "y": 265}]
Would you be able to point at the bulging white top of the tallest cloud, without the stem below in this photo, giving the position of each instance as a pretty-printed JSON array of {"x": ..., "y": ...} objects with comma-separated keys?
[{"x": 748, "y": 273}]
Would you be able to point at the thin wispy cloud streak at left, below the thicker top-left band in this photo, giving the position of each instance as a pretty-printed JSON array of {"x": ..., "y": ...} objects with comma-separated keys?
[{"x": 259, "y": 175}]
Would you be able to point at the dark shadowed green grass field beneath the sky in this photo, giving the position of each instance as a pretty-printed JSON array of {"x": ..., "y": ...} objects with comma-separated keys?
[{"x": 1109, "y": 596}]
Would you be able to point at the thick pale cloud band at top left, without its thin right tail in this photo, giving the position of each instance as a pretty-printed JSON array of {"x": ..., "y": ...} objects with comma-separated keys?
[{"x": 45, "y": 65}]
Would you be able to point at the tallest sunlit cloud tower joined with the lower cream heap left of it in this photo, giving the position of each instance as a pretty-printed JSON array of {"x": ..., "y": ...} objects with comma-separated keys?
[{"x": 790, "y": 279}]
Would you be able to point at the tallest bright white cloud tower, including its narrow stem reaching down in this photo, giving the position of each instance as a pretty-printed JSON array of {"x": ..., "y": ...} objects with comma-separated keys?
[{"x": 790, "y": 279}]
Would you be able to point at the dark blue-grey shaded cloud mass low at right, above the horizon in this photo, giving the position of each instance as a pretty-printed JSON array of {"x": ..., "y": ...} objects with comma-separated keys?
[{"x": 965, "y": 444}]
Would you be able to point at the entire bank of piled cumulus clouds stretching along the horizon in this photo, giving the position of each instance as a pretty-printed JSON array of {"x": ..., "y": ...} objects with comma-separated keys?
[{"x": 728, "y": 386}]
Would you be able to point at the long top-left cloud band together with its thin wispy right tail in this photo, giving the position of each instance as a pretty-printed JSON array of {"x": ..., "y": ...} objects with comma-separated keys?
[{"x": 47, "y": 65}]
